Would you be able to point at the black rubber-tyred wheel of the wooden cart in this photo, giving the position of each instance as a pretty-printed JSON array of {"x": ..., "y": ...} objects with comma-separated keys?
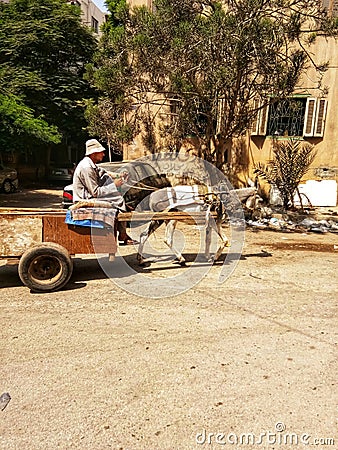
[{"x": 45, "y": 267}]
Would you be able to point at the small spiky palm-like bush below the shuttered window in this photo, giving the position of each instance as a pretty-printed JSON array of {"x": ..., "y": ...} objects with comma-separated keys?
[{"x": 290, "y": 163}]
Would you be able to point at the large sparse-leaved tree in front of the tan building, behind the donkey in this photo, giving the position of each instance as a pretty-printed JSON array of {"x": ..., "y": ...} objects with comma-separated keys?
[{"x": 204, "y": 63}]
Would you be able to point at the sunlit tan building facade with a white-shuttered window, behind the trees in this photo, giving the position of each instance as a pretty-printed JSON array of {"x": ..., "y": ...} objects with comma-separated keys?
[{"x": 311, "y": 115}]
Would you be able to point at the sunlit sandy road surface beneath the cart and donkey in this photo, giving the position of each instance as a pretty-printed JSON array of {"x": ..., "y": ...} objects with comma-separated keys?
[{"x": 250, "y": 363}]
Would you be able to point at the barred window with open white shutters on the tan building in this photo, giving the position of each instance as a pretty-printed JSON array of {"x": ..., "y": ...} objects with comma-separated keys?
[{"x": 297, "y": 116}]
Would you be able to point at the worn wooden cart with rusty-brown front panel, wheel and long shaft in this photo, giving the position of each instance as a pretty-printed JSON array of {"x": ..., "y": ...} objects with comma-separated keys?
[{"x": 42, "y": 244}]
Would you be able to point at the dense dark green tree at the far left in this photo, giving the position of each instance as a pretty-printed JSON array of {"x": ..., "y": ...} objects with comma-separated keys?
[{"x": 44, "y": 49}]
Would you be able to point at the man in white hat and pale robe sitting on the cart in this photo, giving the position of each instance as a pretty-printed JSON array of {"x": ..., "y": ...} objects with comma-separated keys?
[{"x": 91, "y": 182}]
